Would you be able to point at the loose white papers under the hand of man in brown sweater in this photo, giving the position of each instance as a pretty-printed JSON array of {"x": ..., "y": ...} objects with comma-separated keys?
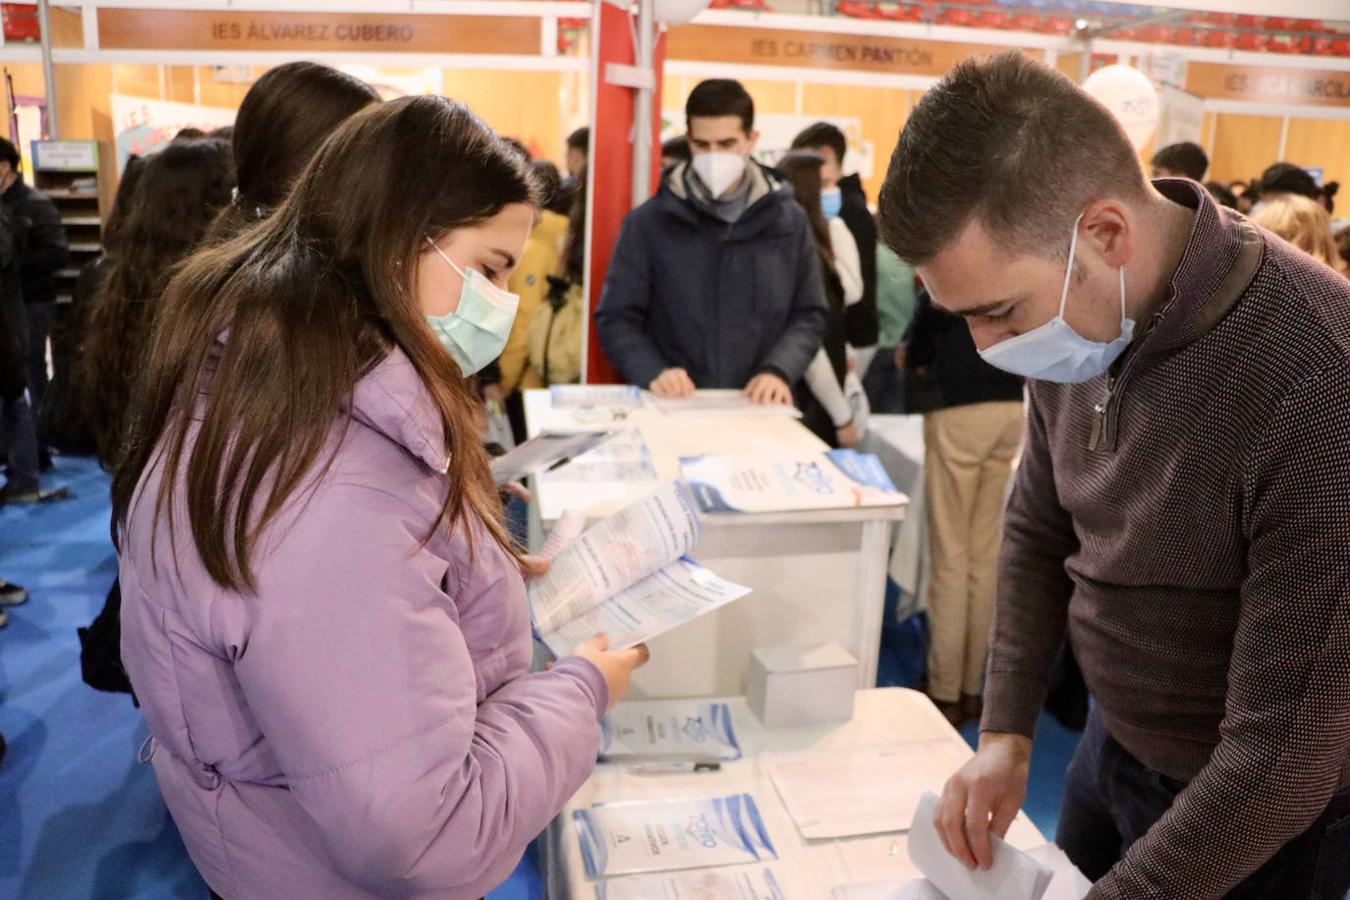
[{"x": 1042, "y": 875}]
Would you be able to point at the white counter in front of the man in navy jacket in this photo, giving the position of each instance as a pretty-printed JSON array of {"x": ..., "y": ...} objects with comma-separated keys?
[{"x": 816, "y": 577}]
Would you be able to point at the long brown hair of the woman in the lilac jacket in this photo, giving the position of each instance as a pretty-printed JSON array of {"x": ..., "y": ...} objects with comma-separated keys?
[{"x": 313, "y": 299}]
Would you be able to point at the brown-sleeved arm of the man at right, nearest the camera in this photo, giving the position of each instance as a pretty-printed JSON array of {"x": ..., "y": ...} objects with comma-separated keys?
[{"x": 1287, "y": 723}]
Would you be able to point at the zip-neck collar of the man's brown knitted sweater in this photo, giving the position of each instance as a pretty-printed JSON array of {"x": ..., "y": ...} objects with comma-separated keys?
[{"x": 1221, "y": 260}]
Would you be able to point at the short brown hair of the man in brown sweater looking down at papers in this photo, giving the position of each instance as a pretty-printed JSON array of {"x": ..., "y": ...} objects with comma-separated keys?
[{"x": 1012, "y": 142}]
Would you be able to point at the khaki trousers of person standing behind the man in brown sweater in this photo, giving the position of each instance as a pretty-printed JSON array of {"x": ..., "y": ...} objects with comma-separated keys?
[{"x": 969, "y": 457}]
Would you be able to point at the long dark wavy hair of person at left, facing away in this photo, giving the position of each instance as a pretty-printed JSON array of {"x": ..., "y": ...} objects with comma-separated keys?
[{"x": 178, "y": 194}]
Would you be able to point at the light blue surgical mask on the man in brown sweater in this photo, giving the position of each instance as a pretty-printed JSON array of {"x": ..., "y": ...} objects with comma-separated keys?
[{"x": 1055, "y": 353}]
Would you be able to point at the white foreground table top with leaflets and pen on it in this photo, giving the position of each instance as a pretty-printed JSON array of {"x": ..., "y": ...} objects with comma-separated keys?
[{"x": 807, "y": 870}]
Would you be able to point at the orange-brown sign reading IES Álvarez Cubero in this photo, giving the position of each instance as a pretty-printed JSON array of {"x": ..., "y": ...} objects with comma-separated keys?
[{"x": 369, "y": 33}]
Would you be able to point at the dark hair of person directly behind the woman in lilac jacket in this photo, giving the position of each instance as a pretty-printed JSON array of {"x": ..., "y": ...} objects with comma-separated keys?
[{"x": 283, "y": 121}]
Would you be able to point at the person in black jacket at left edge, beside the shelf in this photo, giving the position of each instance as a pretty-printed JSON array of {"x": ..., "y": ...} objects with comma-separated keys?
[{"x": 44, "y": 249}]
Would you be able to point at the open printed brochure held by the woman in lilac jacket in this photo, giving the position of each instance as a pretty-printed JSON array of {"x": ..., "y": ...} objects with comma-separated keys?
[{"x": 628, "y": 578}]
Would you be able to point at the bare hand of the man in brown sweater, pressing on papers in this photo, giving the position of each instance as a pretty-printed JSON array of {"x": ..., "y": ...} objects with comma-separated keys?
[{"x": 983, "y": 797}]
